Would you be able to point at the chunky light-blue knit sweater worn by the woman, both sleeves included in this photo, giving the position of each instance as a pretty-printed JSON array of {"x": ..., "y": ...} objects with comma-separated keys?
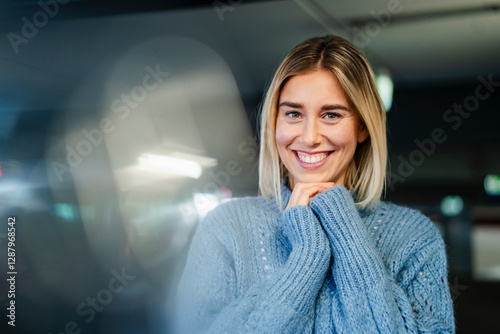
[{"x": 325, "y": 268}]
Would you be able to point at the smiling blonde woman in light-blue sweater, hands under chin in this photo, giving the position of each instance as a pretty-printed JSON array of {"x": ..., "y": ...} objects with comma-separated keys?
[{"x": 318, "y": 252}]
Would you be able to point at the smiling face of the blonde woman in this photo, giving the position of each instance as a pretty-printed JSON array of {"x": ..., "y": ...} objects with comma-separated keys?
[{"x": 316, "y": 131}]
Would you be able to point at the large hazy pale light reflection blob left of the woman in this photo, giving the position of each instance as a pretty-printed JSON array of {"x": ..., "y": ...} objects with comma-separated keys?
[{"x": 132, "y": 190}]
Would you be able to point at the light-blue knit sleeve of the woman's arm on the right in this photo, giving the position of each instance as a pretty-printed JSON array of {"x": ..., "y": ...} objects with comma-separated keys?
[{"x": 367, "y": 298}]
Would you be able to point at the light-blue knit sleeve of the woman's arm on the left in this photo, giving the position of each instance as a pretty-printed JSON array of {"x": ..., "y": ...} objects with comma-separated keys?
[{"x": 208, "y": 301}]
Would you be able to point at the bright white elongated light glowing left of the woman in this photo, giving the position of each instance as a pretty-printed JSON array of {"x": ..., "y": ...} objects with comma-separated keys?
[{"x": 171, "y": 165}]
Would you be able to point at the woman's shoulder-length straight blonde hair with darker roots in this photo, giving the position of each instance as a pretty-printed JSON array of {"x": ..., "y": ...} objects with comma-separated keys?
[{"x": 367, "y": 171}]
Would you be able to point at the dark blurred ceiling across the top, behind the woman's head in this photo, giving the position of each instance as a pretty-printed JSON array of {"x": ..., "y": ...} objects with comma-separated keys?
[{"x": 421, "y": 41}]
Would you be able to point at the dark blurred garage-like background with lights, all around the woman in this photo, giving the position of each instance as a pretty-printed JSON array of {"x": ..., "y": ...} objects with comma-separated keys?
[{"x": 123, "y": 123}]
